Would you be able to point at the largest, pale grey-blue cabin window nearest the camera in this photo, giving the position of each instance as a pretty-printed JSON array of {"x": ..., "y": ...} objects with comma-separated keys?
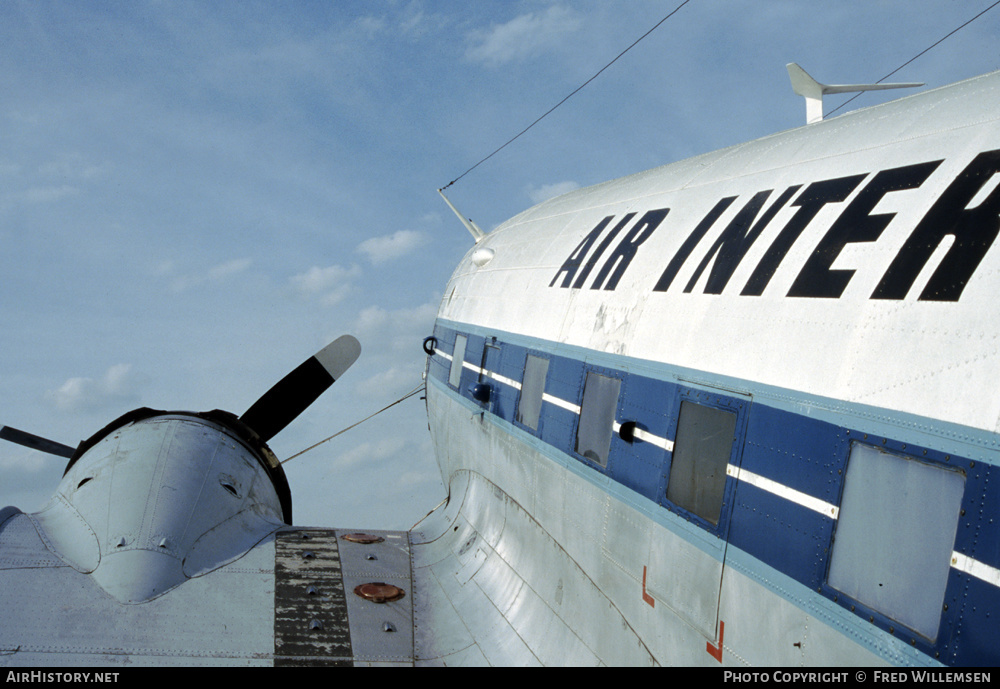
[{"x": 895, "y": 535}]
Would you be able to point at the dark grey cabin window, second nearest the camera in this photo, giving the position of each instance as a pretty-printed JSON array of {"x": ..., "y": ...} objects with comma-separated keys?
[{"x": 702, "y": 450}]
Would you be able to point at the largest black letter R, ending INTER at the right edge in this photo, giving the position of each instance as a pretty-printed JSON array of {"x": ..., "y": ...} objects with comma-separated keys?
[{"x": 975, "y": 230}]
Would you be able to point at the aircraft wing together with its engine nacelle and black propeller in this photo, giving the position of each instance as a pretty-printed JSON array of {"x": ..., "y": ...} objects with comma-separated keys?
[{"x": 168, "y": 541}]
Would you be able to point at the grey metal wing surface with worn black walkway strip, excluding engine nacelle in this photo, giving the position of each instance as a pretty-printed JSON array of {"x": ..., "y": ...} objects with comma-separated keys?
[{"x": 289, "y": 600}]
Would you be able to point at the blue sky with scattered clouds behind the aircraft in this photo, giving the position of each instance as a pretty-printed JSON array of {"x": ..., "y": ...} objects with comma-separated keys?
[{"x": 196, "y": 196}]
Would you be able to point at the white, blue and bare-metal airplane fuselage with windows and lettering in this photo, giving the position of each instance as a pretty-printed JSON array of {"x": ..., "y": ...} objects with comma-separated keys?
[{"x": 748, "y": 396}]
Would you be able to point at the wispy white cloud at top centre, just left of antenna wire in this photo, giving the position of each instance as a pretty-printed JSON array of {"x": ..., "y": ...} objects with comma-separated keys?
[{"x": 523, "y": 37}]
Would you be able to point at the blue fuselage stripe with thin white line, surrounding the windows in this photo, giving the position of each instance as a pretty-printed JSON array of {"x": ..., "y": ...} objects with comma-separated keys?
[{"x": 799, "y": 442}]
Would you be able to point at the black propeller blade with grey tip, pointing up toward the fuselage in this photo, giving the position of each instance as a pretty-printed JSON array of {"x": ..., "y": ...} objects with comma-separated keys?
[{"x": 279, "y": 406}]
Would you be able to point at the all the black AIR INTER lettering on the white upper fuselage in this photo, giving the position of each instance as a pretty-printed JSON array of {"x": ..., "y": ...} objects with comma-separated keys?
[{"x": 974, "y": 230}]
